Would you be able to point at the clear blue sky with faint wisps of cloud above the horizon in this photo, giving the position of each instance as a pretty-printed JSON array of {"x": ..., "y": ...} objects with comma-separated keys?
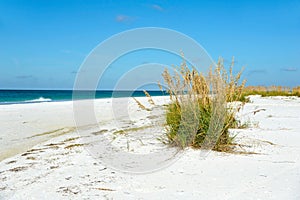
[{"x": 43, "y": 43}]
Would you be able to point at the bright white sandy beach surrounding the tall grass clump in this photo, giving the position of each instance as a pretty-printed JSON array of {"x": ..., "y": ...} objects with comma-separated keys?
[{"x": 43, "y": 156}]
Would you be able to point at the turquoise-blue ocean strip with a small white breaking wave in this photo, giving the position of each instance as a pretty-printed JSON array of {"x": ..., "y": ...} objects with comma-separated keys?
[{"x": 37, "y": 96}]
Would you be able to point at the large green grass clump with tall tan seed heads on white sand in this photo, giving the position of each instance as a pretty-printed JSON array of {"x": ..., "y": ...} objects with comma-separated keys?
[{"x": 198, "y": 115}]
